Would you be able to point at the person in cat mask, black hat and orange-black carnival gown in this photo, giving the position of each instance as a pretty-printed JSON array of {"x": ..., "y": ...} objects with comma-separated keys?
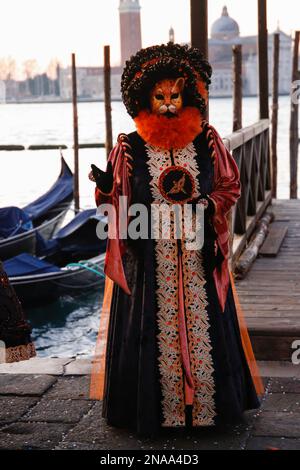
[{"x": 173, "y": 350}]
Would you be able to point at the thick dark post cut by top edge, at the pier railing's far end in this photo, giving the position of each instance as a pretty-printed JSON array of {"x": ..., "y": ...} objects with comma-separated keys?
[{"x": 263, "y": 60}]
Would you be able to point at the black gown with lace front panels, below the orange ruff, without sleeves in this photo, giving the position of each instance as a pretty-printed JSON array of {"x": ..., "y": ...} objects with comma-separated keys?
[{"x": 151, "y": 381}]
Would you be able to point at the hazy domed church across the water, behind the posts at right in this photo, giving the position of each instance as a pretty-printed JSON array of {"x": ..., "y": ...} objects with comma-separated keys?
[{"x": 225, "y": 33}]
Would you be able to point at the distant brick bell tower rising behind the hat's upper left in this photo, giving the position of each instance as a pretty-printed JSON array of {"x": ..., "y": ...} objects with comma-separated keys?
[{"x": 130, "y": 28}]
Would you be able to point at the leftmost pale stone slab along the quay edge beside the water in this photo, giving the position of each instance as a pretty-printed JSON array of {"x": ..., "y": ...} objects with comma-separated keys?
[{"x": 37, "y": 365}]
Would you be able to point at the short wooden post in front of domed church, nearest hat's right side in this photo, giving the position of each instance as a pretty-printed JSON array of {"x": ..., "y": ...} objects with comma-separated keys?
[{"x": 237, "y": 87}]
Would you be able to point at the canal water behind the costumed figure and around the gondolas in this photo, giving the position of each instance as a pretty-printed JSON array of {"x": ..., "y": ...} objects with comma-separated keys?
[{"x": 69, "y": 326}]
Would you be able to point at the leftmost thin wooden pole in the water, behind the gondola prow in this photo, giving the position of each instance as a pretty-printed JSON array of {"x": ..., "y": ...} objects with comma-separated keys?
[{"x": 75, "y": 135}]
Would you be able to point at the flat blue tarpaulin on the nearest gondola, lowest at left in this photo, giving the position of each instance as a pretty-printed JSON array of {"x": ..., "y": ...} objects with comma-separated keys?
[{"x": 25, "y": 264}]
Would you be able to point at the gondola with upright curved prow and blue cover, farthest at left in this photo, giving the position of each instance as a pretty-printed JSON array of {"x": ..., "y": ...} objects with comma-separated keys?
[{"x": 19, "y": 227}]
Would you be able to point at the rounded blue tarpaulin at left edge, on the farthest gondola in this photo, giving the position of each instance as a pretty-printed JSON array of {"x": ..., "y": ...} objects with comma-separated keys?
[{"x": 13, "y": 221}]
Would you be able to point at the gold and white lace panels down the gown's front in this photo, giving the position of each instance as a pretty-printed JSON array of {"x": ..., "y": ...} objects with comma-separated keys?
[{"x": 170, "y": 363}]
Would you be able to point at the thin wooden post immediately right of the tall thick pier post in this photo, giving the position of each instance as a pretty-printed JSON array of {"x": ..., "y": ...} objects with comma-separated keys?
[{"x": 276, "y": 49}]
